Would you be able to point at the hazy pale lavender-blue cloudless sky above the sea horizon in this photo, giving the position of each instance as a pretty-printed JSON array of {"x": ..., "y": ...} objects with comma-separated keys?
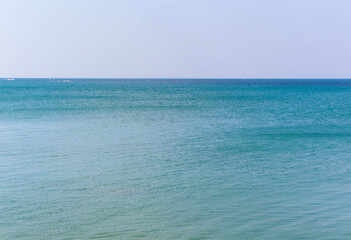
[{"x": 175, "y": 38}]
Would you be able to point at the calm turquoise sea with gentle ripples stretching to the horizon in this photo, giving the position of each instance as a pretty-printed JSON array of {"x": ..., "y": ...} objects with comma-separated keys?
[{"x": 175, "y": 159}]
